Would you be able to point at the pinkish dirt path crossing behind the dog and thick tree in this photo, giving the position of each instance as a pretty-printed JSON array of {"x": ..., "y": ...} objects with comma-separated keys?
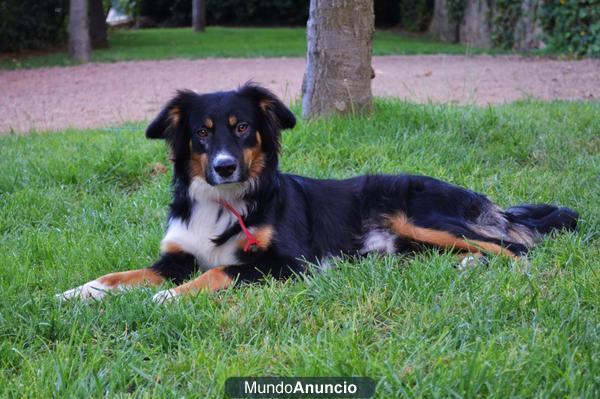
[{"x": 106, "y": 94}]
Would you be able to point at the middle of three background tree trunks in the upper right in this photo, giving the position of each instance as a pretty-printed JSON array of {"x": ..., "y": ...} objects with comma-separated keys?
[{"x": 475, "y": 28}]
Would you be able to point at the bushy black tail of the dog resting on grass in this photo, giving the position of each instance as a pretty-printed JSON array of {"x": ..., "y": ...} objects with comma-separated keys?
[{"x": 543, "y": 219}]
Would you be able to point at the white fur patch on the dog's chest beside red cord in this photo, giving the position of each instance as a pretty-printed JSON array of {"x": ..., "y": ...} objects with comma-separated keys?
[{"x": 205, "y": 223}]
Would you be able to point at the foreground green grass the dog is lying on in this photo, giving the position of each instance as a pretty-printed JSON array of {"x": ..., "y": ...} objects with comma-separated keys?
[{"x": 77, "y": 204}]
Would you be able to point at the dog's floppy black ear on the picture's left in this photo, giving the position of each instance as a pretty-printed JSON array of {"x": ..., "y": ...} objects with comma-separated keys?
[{"x": 170, "y": 118}]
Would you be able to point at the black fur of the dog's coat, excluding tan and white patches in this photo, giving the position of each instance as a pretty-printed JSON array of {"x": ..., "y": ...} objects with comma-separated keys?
[{"x": 315, "y": 219}]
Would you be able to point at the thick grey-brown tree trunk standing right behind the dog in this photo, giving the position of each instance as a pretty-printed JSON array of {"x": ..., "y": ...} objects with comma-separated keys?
[{"x": 338, "y": 69}]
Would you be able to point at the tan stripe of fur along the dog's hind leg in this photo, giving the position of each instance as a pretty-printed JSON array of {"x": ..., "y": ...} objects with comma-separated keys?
[{"x": 402, "y": 226}]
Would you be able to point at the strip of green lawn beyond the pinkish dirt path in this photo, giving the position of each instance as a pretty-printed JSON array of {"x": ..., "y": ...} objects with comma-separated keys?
[{"x": 154, "y": 44}]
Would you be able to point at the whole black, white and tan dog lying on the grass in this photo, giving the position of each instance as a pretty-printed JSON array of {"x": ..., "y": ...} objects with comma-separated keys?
[{"x": 235, "y": 217}]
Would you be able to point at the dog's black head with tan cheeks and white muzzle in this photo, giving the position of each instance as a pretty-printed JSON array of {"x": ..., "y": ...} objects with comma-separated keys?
[{"x": 223, "y": 137}]
